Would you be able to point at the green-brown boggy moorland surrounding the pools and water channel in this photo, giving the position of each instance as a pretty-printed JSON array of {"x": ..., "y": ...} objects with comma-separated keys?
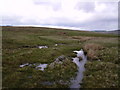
[{"x": 20, "y": 46}]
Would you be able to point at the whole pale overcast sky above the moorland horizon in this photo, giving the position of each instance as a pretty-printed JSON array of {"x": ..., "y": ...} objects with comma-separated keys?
[{"x": 73, "y": 14}]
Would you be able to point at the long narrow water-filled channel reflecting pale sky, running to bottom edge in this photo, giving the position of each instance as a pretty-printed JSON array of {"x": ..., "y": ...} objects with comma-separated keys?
[{"x": 75, "y": 83}]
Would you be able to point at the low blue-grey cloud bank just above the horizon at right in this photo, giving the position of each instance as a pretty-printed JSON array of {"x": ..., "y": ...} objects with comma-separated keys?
[{"x": 100, "y": 24}]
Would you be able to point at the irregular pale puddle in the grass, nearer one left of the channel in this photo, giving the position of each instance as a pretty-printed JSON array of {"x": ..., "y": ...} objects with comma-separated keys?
[{"x": 37, "y": 66}]
